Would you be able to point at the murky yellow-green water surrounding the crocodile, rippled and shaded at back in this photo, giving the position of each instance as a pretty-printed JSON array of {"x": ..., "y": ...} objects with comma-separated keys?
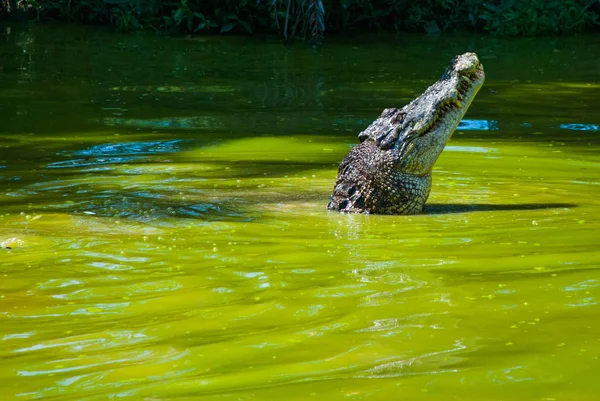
[{"x": 164, "y": 200}]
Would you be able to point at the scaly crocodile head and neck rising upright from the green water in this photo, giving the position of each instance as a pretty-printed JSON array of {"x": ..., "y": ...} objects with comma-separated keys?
[{"x": 389, "y": 171}]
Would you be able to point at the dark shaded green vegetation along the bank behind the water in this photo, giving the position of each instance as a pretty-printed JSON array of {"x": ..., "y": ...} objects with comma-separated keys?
[{"x": 309, "y": 19}]
